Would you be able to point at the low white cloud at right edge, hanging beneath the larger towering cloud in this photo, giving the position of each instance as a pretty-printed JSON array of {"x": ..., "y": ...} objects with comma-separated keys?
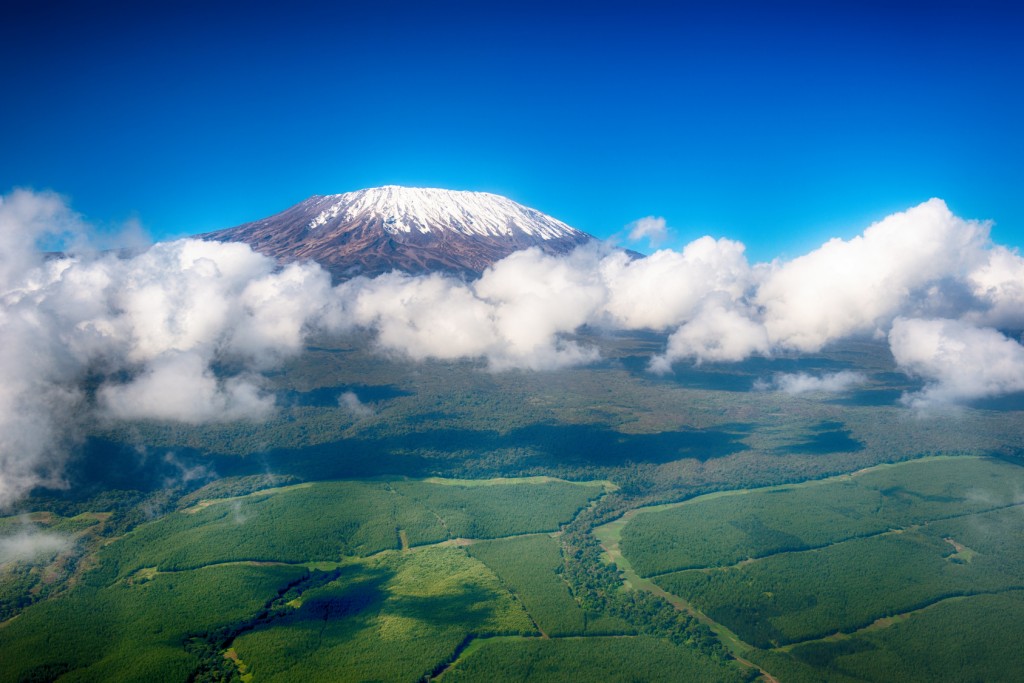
[{"x": 959, "y": 362}]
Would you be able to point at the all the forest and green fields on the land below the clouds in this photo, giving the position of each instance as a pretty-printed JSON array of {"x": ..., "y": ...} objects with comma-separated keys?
[{"x": 329, "y": 544}]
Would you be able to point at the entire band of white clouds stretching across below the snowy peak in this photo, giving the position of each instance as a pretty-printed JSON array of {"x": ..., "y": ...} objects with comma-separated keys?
[{"x": 184, "y": 331}]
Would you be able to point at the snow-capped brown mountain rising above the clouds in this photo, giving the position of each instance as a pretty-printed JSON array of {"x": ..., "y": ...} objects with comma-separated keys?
[{"x": 415, "y": 230}]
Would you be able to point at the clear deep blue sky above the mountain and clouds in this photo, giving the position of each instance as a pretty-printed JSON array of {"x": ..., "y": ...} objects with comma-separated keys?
[{"x": 778, "y": 124}]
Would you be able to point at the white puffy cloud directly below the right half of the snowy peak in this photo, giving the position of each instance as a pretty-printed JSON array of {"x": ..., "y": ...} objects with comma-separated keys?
[{"x": 517, "y": 316}]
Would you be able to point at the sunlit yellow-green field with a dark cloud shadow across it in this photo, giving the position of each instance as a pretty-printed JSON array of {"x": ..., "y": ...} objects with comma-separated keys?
[{"x": 397, "y": 618}]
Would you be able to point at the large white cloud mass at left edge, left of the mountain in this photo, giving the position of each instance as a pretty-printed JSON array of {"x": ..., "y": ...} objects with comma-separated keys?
[{"x": 150, "y": 329}]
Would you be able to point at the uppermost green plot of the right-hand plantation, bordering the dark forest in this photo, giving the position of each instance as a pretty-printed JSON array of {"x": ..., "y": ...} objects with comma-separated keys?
[{"x": 724, "y": 530}]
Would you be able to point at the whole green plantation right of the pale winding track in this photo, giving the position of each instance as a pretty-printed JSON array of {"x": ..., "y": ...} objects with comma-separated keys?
[{"x": 946, "y": 528}]
